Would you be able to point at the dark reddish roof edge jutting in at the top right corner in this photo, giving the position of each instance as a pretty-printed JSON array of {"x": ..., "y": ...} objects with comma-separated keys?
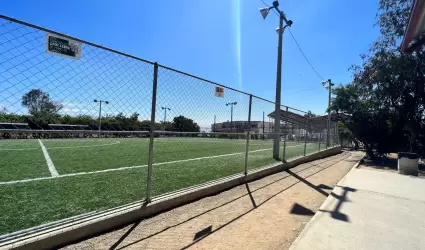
[{"x": 414, "y": 36}]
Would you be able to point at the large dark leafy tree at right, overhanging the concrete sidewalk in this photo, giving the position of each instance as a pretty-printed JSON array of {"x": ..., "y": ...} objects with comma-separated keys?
[{"x": 383, "y": 107}]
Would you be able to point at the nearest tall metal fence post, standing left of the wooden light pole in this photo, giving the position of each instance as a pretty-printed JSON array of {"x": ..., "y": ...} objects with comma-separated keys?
[{"x": 152, "y": 133}]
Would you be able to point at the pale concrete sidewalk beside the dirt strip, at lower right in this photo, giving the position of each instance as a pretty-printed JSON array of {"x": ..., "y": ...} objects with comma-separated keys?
[{"x": 369, "y": 209}]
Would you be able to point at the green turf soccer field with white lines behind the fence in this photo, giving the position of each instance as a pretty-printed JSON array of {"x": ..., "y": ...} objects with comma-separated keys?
[{"x": 51, "y": 179}]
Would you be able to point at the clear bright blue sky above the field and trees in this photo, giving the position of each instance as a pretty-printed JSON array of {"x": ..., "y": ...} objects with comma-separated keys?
[{"x": 224, "y": 41}]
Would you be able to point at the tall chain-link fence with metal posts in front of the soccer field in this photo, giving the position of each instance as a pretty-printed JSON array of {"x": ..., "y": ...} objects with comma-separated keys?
[{"x": 88, "y": 128}]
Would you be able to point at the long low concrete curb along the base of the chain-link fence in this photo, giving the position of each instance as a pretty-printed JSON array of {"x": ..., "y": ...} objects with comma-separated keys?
[{"x": 105, "y": 221}]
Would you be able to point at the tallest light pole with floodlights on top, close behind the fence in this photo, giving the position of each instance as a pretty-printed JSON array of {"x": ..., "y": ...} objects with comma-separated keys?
[{"x": 264, "y": 12}]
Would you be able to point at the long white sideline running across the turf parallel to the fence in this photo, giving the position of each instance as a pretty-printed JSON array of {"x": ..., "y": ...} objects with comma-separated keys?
[{"x": 133, "y": 167}]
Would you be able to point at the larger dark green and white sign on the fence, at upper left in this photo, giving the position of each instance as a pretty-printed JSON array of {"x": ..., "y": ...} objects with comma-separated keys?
[{"x": 62, "y": 46}]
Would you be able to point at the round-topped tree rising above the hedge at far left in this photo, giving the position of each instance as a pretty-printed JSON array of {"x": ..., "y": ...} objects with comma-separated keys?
[{"x": 41, "y": 107}]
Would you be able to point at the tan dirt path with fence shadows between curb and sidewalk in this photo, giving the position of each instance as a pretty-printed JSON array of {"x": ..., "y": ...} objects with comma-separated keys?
[{"x": 265, "y": 214}]
